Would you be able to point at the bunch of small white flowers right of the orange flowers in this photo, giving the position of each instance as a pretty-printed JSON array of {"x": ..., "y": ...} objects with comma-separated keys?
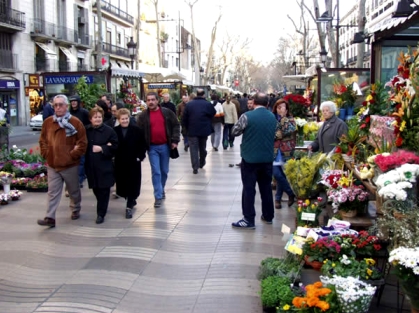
[{"x": 354, "y": 295}]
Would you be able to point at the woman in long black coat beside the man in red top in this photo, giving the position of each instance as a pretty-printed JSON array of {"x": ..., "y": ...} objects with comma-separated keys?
[{"x": 131, "y": 151}]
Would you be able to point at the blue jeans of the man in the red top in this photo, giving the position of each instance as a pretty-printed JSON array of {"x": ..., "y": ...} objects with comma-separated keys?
[{"x": 159, "y": 156}]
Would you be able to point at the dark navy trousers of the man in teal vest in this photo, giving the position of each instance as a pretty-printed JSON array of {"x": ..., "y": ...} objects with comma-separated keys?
[{"x": 260, "y": 173}]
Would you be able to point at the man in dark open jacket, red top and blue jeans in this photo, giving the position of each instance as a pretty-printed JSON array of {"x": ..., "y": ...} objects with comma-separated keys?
[{"x": 162, "y": 133}]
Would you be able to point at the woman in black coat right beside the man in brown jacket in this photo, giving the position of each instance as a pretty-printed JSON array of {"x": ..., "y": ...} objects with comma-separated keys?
[{"x": 102, "y": 144}]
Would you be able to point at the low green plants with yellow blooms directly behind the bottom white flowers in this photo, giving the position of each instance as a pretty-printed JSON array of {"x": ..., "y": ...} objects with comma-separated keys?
[{"x": 349, "y": 266}]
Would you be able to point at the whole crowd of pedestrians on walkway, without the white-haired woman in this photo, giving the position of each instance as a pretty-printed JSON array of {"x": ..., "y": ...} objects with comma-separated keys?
[{"x": 107, "y": 145}]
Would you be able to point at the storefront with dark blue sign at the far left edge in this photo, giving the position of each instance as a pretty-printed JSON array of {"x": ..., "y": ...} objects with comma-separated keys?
[{"x": 9, "y": 91}]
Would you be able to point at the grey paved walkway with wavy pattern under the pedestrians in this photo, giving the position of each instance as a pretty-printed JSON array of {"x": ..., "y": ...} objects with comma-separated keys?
[{"x": 181, "y": 258}]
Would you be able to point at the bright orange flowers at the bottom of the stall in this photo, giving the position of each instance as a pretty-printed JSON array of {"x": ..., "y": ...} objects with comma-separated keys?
[{"x": 315, "y": 299}]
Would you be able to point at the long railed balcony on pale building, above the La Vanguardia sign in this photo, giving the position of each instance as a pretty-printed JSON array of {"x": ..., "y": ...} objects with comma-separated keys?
[{"x": 44, "y": 31}]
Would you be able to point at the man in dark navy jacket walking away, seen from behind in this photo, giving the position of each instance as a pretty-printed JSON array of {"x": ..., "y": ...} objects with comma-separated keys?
[{"x": 197, "y": 120}]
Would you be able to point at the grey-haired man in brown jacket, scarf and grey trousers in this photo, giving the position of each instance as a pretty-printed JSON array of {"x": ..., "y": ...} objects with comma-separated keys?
[{"x": 62, "y": 142}]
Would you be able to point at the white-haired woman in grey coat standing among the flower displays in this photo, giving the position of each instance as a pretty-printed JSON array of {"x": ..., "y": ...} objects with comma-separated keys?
[{"x": 331, "y": 130}]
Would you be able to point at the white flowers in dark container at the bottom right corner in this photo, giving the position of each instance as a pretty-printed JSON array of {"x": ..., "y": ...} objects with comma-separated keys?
[{"x": 405, "y": 263}]
